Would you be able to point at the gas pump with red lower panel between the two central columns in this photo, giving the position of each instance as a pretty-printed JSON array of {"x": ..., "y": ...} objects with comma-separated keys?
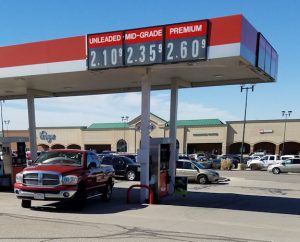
[{"x": 159, "y": 167}]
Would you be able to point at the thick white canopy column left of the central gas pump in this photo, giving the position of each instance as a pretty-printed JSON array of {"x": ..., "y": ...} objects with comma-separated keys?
[{"x": 145, "y": 140}]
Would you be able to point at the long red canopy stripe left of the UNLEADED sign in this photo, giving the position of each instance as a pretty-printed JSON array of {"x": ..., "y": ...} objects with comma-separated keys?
[{"x": 67, "y": 49}]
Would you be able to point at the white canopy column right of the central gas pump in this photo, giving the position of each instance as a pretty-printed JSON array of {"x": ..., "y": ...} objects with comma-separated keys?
[{"x": 173, "y": 119}]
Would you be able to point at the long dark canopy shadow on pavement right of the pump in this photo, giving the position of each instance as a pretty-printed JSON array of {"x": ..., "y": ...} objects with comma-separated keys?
[{"x": 233, "y": 201}]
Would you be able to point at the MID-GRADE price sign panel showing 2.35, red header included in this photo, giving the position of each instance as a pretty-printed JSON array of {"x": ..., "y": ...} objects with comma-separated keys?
[{"x": 143, "y": 46}]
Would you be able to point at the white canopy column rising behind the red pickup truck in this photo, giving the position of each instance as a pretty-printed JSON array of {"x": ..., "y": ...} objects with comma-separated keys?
[{"x": 32, "y": 127}]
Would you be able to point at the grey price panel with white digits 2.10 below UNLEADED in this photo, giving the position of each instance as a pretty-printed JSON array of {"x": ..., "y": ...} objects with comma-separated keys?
[{"x": 105, "y": 57}]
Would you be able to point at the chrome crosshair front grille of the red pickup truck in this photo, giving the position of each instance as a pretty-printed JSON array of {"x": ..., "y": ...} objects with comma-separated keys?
[{"x": 41, "y": 179}]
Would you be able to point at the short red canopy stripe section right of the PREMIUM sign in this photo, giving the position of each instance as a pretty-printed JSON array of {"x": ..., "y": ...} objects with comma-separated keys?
[{"x": 225, "y": 30}]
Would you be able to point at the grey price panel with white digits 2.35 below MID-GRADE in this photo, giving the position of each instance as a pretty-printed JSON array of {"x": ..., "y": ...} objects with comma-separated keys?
[{"x": 141, "y": 54}]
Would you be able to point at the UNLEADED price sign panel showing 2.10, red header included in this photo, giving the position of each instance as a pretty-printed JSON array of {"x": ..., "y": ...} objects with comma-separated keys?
[{"x": 105, "y": 50}]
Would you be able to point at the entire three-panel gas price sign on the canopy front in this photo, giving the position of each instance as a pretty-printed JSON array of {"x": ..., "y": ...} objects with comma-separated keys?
[{"x": 146, "y": 46}]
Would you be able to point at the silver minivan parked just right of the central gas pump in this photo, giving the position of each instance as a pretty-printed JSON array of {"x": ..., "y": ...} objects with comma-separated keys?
[{"x": 196, "y": 172}]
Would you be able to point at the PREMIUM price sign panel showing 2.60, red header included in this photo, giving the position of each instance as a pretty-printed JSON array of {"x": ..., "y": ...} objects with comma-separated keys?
[{"x": 186, "y": 41}]
